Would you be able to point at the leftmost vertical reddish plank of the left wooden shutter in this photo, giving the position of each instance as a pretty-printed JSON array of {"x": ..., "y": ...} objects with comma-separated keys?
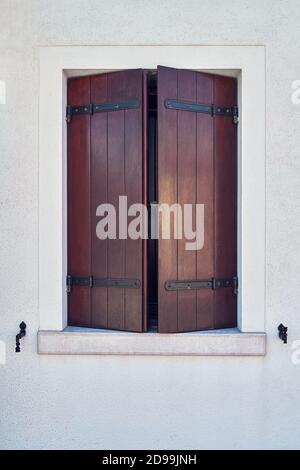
[{"x": 79, "y": 224}]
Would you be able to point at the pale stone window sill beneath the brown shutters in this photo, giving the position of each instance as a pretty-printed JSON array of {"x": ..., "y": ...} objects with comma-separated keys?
[{"x": 77, "y": 341}]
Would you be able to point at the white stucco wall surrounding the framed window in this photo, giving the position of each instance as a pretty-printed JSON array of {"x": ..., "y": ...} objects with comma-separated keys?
[{"x": 146, "y": 402}]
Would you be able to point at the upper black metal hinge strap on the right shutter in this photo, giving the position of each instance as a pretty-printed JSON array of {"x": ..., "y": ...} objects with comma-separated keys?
[{"x": 212, "y": 109}]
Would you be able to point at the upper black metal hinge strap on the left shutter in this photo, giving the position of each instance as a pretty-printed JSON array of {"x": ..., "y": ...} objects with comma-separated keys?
[{"x": 100, "y": 108}]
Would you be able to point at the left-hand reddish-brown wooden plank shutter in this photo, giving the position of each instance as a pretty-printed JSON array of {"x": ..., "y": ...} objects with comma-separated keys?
[{"x": 106, "y": 158}]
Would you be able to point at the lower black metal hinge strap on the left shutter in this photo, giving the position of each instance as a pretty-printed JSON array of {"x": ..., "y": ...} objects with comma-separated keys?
[{"x": 90, "y": 281}]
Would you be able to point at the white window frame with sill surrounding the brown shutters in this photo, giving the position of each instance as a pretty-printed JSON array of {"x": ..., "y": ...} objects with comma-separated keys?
[{"x": 55, "y": 62}]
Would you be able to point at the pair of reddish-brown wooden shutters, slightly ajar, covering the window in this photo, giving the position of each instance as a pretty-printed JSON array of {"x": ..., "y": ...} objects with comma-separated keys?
[{"x": 165, "y": 135}]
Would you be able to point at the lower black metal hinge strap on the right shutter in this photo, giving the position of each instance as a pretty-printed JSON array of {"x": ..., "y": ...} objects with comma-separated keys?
[{"x": 203, "y": 284}]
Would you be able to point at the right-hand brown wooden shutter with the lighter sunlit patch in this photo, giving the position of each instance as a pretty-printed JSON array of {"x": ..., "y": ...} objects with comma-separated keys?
[{"x": 197, "y": 155}]
